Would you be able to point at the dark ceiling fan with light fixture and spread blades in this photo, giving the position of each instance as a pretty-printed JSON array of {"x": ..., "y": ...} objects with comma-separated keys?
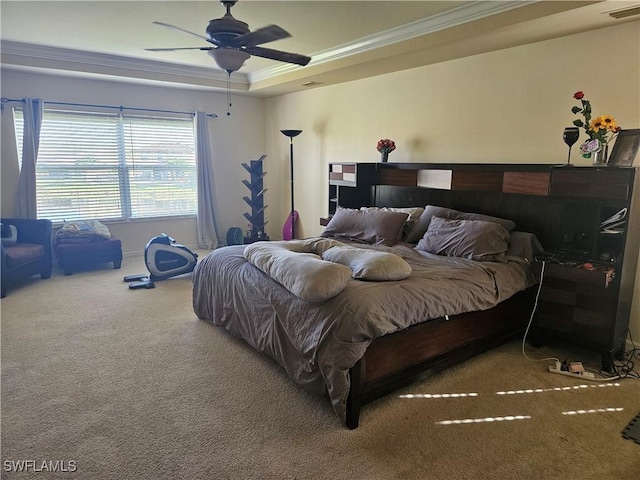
[{"x": 233, "y": 42}]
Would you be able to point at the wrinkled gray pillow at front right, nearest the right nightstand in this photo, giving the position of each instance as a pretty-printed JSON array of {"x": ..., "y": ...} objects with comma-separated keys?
[{"x": 473, "y": 239}]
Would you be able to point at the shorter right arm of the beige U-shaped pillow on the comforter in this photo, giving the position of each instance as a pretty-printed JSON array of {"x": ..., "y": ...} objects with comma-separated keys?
[{"x": 369, "y": 264}]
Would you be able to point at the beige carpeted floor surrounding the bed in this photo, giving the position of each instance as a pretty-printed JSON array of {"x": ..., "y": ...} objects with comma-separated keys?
[{"x": 129, "y": 384}]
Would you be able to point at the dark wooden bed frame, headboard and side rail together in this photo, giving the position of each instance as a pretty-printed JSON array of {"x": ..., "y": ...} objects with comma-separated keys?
[{"x": 516, "y": 192}]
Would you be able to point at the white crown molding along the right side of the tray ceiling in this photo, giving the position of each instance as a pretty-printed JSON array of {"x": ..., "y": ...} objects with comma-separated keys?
[{"x": 451, "y": 18}]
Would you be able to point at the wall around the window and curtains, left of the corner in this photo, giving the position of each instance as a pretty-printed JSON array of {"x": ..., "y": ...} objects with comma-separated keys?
[{"x": 235, "y": 139}]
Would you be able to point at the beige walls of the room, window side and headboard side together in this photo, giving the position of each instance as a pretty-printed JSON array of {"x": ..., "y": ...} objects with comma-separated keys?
[{"x": 505, "y": 106}]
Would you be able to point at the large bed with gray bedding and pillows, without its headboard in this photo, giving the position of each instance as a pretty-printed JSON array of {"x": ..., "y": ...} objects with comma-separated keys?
[{"x": 384, "y": 297}]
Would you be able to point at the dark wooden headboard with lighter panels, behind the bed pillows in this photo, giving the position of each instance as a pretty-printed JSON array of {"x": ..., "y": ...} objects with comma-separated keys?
[{"x": 562, "y": 205}]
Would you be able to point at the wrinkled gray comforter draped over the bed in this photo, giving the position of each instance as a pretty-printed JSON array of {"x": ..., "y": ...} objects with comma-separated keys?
[{"x": 317, "y": 343}]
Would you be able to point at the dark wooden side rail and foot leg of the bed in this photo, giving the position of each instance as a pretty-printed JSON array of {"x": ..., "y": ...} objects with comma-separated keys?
[{"x": 404, "y": 357}]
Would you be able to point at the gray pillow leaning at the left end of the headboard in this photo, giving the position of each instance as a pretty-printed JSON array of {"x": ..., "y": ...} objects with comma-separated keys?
[{"x": 370, "y": 226}]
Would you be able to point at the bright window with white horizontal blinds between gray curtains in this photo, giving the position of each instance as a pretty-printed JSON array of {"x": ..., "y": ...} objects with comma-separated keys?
[{"x": 104, "y": 166}]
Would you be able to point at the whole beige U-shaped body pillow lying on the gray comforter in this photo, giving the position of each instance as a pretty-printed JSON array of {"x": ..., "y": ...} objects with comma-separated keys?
[{"x": 318, "y": 269}]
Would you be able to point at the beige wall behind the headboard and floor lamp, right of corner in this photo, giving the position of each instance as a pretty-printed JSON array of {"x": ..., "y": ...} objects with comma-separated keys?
[{"x": 506, "y": 106}]
